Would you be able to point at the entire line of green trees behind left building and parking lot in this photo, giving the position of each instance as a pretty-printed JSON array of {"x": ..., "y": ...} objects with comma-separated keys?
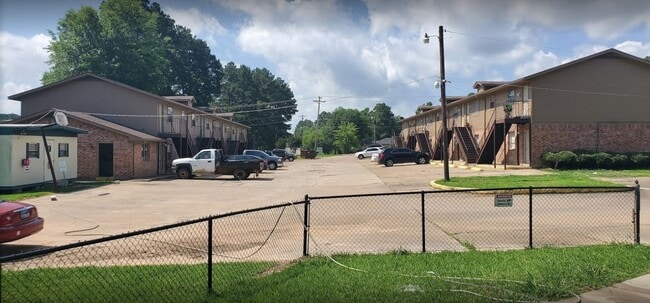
[{"x": 135, "y": 42}]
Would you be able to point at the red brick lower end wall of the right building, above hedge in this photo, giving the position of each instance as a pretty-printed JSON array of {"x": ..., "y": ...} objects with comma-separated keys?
[{"x": 606, "y": 137}]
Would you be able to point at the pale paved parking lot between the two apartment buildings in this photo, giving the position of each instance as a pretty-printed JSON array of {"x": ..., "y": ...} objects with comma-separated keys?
[{"x": 139, "y": 204}]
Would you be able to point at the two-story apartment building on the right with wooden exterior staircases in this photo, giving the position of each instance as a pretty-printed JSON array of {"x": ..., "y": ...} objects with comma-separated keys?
[{"x": 600, "y": 103}]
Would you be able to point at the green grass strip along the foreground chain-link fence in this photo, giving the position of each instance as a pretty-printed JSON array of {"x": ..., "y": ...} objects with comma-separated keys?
[{"x": 474, "y": 276}]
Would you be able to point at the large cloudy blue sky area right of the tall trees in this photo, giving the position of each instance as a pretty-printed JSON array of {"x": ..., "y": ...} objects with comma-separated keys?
[{"x": 329, "y": 49}]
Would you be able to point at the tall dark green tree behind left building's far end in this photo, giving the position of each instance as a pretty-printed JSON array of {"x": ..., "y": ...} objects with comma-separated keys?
[{"x": 260, "y": 100}]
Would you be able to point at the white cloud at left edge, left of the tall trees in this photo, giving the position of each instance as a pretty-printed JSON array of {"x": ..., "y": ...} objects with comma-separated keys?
[{"x": 22, "y": 62}]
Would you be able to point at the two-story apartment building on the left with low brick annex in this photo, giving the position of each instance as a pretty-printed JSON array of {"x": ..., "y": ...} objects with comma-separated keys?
[{"x": 169, "y": 125}]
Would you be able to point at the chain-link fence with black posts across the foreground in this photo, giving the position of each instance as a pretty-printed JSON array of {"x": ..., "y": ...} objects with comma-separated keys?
[{"x": 211, "y": 253}]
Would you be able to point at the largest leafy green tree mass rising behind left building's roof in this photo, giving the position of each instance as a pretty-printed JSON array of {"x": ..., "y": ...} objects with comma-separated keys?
[{"x": 136, "y": 43}]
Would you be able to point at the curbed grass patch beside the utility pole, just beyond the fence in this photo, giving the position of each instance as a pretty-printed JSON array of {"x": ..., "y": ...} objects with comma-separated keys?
[{"x": 559, "y": 179}]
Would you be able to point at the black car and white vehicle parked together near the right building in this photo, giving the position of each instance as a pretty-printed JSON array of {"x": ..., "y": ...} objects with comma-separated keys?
[{"x": 393, "y": 155}]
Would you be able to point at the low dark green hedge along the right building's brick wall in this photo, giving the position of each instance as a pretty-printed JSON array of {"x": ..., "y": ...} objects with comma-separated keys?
[{"x": 598, "y": 160}]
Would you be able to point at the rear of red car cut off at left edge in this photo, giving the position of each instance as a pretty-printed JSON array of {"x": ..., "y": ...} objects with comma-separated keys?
[{"x": 18, "y": 220}]
